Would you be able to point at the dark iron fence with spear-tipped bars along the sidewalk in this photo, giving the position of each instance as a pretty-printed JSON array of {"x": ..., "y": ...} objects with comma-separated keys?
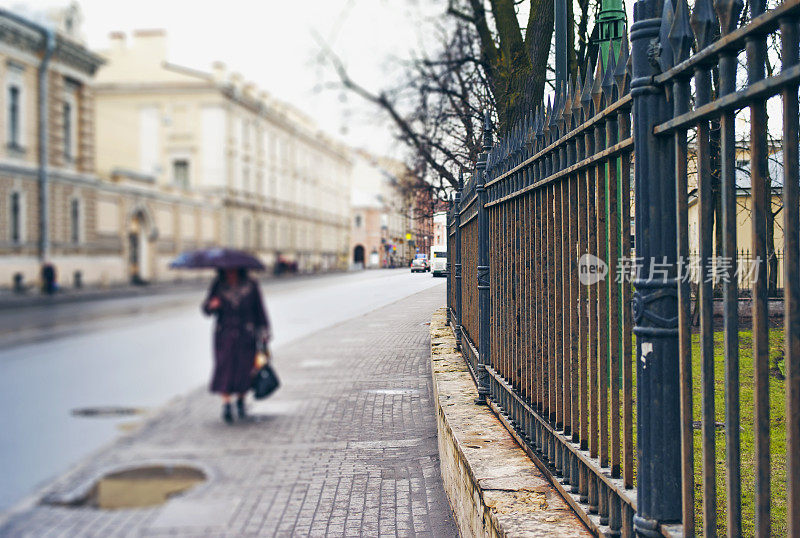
[{"x": 542, "y": 228}]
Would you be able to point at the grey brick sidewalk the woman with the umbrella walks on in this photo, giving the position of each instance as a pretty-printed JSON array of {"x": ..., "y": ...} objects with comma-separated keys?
[{"x": 346, "y": 447}]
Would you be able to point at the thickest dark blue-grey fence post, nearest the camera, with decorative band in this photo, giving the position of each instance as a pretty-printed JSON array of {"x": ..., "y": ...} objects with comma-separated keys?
[{"x": 655, "y": 306}]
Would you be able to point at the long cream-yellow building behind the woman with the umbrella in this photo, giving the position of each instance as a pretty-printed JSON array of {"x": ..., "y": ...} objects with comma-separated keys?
[{"x": 276, "y": 186}]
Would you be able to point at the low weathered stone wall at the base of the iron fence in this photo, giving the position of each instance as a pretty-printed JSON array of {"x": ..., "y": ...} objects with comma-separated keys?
[{"x": 493, "y": 487}]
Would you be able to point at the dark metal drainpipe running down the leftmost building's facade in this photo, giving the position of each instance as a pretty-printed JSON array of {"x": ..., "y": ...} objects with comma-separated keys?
[{"x": 44, "y": 199}]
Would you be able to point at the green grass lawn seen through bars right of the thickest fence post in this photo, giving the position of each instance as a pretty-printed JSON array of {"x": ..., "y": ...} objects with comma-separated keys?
[{"x": 777, "y": 433}]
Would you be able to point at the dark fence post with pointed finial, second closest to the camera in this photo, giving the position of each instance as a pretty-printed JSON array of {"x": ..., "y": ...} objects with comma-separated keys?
[{"x": 484, "y": 313}]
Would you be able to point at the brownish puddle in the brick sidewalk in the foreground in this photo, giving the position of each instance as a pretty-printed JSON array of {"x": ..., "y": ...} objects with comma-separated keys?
[{"x": 141, "y": 487}]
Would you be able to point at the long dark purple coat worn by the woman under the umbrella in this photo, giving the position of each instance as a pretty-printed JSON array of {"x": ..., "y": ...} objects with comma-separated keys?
[{"x": 242, "y": 326}]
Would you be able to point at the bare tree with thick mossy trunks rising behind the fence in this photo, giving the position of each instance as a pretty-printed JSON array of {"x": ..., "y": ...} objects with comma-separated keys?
[{"x": 485, "y": 61}]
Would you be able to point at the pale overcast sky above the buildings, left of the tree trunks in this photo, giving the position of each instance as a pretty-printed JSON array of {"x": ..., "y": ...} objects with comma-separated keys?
[{"x": 271, "y": 43}]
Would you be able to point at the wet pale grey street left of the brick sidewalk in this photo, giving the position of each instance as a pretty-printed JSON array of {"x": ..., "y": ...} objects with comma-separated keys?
[{"x": 138, "y": 354}]
